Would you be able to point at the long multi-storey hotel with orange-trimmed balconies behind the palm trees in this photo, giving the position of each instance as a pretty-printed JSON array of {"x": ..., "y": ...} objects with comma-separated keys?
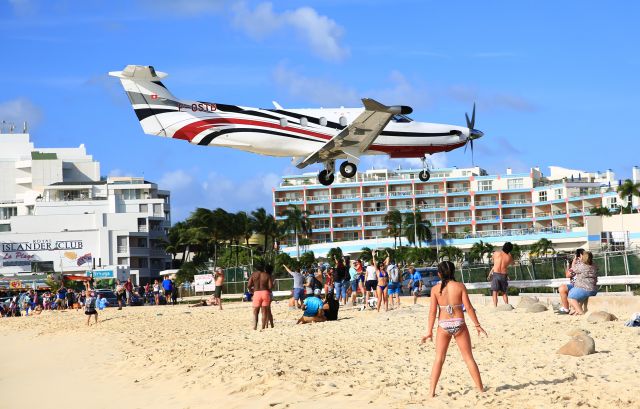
[{"x": 463, "y": 205}]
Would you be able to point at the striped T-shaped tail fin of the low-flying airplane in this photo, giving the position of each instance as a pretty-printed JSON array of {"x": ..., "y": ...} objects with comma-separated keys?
[{"x": 149, "y": 98}]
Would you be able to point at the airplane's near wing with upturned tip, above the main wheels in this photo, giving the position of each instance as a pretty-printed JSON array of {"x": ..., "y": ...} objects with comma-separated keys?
[{"x": 359, "y": 135}]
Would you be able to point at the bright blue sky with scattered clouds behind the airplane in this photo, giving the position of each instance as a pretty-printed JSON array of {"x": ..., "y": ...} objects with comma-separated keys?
[{"x": 556, "y": 83}]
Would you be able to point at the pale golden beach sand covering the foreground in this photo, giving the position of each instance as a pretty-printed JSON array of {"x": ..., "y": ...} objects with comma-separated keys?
[{"x": 180, "y": 357}]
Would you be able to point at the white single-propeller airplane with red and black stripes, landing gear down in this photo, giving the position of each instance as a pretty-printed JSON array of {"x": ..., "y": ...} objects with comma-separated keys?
[{"x": 307, "y": 135}]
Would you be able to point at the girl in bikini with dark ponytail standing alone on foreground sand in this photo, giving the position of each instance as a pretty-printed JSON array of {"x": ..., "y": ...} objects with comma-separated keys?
[{"x": 450, "y": 297}]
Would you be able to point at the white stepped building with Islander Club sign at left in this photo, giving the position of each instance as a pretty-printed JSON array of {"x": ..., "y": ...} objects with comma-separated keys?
[{"x": 57, "y": 214}]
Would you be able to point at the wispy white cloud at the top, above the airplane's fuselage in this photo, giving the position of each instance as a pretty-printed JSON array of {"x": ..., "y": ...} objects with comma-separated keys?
[{"x": 321, "y": 33}]
